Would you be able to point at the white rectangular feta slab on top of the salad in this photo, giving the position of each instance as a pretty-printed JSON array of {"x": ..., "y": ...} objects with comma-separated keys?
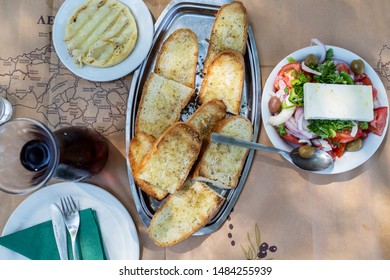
[{"x": 338, "y": 102}]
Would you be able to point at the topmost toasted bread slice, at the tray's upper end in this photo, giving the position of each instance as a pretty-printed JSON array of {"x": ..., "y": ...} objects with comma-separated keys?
[{"x": 229, "y": 32}]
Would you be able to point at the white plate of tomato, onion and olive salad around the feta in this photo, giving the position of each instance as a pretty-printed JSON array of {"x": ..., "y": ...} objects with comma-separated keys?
[{"x": 286, "y": 125}]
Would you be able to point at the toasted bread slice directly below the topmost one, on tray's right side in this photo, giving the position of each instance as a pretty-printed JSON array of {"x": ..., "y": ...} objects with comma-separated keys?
[{"x": 224, "y": 81}]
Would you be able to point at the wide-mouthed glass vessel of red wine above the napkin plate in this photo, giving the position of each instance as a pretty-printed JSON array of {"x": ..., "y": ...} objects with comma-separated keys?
[{"x": 31, "y": 154}]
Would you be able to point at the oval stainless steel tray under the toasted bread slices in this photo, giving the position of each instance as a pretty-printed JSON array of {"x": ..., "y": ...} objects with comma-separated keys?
[{"x": 198, "y": 16}]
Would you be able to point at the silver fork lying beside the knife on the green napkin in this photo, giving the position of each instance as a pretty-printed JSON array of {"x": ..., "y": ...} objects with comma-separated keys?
[{"x": 72, "y": 221}]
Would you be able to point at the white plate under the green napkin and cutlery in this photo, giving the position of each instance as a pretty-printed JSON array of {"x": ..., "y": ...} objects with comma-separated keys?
[{"x": 119, "y": 234}]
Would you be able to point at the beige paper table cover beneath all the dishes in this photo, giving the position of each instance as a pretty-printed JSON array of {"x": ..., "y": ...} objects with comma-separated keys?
[{"x": 304, "y": 215}]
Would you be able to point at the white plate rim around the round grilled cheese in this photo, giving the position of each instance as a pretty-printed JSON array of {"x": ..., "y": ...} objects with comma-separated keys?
[{"x": 144, "y": 41}]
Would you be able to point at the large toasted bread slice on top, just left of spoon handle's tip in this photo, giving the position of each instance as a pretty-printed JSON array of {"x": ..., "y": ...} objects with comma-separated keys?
[{"x": 168, "y": 163}]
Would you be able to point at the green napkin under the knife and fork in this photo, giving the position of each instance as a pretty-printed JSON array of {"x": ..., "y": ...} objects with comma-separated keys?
[{"x": 38, "y": 242}]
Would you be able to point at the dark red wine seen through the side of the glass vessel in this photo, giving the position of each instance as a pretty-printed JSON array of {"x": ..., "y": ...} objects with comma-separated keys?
[{"x": 83, "y": 153}]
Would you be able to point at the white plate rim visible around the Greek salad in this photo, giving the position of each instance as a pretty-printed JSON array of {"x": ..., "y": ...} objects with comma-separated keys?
[{"x": 349, "y": 160}]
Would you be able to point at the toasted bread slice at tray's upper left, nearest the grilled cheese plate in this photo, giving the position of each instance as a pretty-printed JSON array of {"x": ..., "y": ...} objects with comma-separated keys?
[{"x": 178, "y": 57}]
